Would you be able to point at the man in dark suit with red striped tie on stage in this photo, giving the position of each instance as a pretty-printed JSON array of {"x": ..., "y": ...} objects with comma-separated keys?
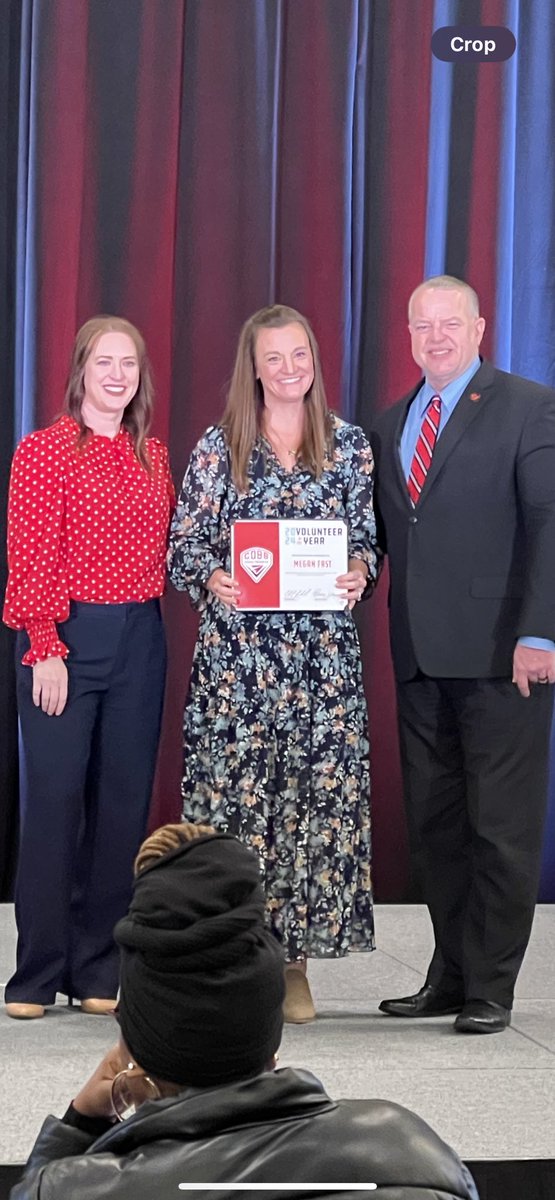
[{"x": 466, "y": 499}]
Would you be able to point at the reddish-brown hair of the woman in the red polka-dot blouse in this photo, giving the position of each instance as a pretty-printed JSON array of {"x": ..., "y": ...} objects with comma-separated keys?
[{"x": 138, "y": 415}]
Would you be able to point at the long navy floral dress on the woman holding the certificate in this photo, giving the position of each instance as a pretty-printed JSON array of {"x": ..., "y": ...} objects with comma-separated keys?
[{"x": 276, "y": 730}]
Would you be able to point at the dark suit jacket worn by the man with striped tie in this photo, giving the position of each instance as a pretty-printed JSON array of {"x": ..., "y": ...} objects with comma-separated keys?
[{"x": 473, "y": 567}]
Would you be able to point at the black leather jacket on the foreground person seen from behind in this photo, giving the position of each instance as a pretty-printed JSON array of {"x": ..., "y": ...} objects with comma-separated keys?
[{"x": 278, "y": 1129}]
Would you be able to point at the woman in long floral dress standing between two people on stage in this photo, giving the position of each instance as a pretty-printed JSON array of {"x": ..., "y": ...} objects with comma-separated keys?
[{"x": 276, "y": 722}]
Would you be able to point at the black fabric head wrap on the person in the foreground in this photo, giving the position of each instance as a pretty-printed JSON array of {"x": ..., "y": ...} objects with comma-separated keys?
[{"x": 202, "y": 980}]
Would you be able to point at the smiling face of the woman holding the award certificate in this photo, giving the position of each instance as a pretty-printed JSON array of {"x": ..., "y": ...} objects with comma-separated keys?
[{"x": 284, "y": 363}]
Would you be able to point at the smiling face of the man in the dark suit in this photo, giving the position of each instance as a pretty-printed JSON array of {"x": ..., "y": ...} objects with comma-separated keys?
[{"x": 445, "y": 334}]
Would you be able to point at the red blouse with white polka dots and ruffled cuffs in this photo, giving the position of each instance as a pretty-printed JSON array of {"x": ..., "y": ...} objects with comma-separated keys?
[{"x": 85, "y": 524}]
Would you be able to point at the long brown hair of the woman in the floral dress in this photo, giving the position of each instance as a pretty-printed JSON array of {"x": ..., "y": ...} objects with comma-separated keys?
[{"x": 242, "y": 419}]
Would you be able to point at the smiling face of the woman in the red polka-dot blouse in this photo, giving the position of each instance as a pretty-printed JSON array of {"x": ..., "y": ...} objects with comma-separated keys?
[{"x": 112, "y": 374}]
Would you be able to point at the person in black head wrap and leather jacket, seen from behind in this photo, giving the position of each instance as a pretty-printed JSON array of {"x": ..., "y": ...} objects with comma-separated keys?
[{"x": 201, "y": 1019}]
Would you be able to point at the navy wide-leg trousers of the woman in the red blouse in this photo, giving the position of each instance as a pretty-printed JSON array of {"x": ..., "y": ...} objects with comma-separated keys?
[{"x": 87, "y": 784}]
